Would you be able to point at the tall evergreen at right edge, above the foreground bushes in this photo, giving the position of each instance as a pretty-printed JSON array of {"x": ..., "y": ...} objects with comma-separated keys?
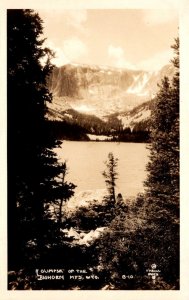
[{"x": 163, "y": 168}]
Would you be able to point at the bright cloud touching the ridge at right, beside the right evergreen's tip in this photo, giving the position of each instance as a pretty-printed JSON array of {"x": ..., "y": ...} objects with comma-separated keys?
[{"x": 157, "y": 61}]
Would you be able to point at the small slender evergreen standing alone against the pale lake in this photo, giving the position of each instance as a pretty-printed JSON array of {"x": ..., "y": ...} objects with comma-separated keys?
[{"x": 110, "y": 175}]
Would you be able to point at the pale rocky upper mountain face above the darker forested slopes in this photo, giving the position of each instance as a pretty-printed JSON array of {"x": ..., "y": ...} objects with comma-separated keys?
[{"x": 102, "y": 90}]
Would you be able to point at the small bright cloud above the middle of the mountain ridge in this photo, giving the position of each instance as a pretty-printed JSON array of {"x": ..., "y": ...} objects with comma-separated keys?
[{"x": 117, "y": 55}]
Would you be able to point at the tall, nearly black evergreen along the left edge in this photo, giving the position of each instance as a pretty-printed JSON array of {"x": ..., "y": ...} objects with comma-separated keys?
[{"x": 32, "y": 165}]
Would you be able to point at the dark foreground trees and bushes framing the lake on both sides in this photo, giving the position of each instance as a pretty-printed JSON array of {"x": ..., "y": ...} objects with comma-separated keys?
[{"x": 139, "y": 245}]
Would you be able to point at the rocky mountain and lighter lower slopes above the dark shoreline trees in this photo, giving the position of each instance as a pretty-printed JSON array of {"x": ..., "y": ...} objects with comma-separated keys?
[{"x": 103, "y": 93}]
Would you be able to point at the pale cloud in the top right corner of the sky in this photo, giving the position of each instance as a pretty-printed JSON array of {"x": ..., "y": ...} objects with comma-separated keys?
[{"x": 156, "y": 17}]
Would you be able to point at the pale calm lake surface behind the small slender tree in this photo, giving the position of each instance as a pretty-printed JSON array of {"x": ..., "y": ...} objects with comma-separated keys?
[{"x": 85, "y": 161}]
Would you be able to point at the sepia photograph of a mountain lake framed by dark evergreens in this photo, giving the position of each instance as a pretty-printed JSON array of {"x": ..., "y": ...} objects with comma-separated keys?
[{"x": 93, "y": 149}]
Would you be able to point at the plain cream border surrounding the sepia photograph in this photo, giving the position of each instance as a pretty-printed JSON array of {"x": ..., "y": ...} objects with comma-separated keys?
[{"x": 183, "y": 7}]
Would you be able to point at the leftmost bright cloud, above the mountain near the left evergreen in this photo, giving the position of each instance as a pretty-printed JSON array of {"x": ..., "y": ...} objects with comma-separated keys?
[{"x": 74, "y": 48}]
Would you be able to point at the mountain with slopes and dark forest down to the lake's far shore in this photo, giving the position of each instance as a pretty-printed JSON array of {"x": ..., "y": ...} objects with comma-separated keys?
[{"x": 97, "y": 100}]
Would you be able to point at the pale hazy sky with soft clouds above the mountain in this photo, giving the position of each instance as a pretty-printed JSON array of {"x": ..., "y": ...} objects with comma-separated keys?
[{"x": 135, "y": 39}]
